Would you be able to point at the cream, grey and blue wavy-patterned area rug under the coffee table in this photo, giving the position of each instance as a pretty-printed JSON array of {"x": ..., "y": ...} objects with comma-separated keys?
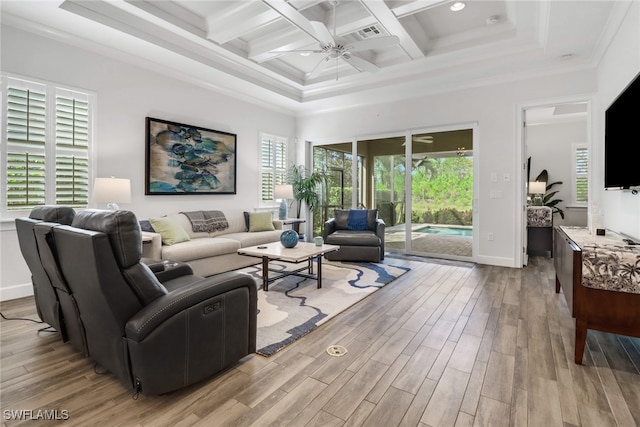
[{"x": 294, "y": 306}]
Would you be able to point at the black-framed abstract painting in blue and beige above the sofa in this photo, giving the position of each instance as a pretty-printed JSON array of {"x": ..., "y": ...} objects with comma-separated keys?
[{"x": 186, "y": 159}]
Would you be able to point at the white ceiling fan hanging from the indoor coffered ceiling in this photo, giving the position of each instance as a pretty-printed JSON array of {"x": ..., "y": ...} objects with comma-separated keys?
[{"x": 334, "y": 48}]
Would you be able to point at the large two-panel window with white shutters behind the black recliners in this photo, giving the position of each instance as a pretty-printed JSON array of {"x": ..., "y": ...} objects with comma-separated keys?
[{"x": 47, "y": 145}]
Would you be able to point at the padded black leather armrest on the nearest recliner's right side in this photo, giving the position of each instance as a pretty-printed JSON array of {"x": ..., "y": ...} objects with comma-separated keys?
[{"x": 161, "y": 309}]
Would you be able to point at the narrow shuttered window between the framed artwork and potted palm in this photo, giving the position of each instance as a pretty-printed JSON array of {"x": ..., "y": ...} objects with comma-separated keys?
[{"x": 273, "y": 166}]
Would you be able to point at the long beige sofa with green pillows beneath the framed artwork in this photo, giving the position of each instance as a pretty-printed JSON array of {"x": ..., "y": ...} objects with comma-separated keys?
[{"x": 215, "y": 252}]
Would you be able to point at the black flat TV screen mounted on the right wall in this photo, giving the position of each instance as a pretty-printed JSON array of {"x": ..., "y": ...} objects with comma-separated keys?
[{"x": 622, "y": 139}]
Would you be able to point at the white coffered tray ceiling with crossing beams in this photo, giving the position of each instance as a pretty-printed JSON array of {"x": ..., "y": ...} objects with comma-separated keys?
[{"x": 242, "y": 46}]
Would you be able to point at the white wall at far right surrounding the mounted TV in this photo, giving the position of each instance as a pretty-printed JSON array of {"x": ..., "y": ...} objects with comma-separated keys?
[{"x": 621, "y": 63}]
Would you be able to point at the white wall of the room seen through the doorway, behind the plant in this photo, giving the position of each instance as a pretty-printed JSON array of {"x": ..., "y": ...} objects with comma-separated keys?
[{"x": 550, "y": 146}]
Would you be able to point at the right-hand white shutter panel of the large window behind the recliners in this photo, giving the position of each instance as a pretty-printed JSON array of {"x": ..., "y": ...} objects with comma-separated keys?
[{"x": 72, "y": 151}]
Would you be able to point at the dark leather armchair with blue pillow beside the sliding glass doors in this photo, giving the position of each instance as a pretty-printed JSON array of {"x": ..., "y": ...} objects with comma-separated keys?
[{"x": 358, "y": 232}]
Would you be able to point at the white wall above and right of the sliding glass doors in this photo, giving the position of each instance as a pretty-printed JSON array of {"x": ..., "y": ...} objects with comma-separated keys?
[{"x": 494, "y": 108}]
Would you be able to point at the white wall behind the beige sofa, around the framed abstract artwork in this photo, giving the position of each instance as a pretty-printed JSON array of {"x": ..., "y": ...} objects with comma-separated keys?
[{"x": 126, "y": 95}]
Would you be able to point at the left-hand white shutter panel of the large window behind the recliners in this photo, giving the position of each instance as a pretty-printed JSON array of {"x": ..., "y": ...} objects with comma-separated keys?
[{"x": 26, "y": 130}]
